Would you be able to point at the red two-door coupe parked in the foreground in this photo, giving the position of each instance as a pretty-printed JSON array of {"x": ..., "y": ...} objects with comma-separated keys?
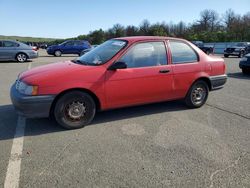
[{"x": 120, "y": 72}]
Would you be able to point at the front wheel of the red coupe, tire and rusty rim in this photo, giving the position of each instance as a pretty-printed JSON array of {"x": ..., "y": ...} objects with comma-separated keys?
[{"x": 74, "y": 110}]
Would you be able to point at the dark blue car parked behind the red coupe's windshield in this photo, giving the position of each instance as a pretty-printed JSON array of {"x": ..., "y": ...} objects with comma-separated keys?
[{"x": 69, "y": 47}]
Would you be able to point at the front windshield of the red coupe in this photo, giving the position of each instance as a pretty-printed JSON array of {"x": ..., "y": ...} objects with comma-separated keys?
[{"x": 102, "y": 53}]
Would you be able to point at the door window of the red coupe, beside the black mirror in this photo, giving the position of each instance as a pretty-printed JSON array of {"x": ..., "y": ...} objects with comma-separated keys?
[{"x": 145, "y": 55}]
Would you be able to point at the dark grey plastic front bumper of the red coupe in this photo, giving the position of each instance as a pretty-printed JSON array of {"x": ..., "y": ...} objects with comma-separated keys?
[{"x": 31, "y": 106}]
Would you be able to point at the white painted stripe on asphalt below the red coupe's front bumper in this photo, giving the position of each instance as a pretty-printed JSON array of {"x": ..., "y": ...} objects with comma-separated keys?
[{"x": 14, "y": 166}]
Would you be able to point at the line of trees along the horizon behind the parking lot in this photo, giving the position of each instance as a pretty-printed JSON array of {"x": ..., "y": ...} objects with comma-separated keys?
[{"x": 210, "y": 27}]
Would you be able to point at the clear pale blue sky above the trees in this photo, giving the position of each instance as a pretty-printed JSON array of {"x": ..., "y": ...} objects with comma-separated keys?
[{"x": 70, "y": 18}]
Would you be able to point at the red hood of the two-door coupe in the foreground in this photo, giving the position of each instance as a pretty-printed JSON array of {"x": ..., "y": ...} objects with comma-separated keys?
[{"x": 55, "y": 71}]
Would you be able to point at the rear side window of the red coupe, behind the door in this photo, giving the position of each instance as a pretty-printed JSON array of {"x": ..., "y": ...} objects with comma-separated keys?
[{"x": 182, "y": 53}]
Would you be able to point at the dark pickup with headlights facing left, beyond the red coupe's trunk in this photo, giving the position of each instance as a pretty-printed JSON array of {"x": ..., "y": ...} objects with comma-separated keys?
[{"x": 240, "y": 49}]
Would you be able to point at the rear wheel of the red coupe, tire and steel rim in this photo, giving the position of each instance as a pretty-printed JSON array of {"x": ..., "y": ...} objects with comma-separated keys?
[{"x": 197, "y": 94}]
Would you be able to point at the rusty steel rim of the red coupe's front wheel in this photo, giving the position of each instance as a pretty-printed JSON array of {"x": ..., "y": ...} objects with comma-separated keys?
[{"x": 75, "y": 111}]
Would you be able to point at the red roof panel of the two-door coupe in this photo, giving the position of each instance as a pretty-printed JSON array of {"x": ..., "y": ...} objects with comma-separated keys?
[{"x": 141, "y": 38}]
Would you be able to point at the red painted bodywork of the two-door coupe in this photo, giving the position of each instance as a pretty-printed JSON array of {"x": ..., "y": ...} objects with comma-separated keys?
[{"x": 125, "y": 87}]
